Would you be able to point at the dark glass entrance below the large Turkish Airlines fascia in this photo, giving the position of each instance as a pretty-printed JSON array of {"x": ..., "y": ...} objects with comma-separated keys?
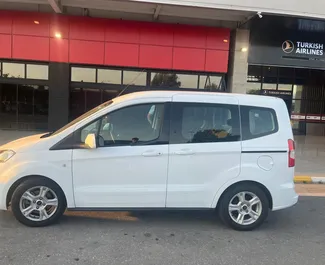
[{"x": 303, "y": 91}]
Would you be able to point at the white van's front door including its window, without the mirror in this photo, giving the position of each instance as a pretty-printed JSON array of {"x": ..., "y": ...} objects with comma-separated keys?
[{"x": 129, "y": 167}]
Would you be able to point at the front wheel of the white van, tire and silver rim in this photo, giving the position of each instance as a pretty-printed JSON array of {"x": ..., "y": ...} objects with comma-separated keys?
[{"x": 37, "y": 209}]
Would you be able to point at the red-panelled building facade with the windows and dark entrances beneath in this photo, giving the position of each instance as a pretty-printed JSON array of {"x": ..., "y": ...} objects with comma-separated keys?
[{"x": 54, "y": 68}]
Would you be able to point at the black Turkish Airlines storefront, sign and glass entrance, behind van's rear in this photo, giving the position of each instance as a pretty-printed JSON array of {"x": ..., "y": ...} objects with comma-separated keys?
[{"x": 289, "y": 62}]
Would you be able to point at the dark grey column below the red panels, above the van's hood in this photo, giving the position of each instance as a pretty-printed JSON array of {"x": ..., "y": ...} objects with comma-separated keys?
[{"x": 59, "y": 74}]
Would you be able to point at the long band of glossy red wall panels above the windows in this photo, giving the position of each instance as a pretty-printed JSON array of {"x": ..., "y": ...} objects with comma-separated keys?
[{"x": 84, "y": 40}]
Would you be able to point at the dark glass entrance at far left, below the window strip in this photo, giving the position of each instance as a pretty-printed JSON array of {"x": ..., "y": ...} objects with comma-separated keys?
[{"x": 24, "y": 107}]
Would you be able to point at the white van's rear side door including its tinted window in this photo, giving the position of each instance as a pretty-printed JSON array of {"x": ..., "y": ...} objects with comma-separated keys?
[{"x": 205, "y": 149}]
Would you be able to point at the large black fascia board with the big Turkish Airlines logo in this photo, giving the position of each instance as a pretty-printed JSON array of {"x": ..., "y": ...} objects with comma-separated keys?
[{"x": 280, "y": 46}]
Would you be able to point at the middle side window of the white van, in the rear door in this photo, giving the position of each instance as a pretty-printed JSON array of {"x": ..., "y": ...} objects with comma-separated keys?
[{"x": 202, "y": 123}]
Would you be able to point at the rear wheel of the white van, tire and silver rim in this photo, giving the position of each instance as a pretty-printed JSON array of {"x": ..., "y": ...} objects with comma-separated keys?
[{"x": 238, "y": 202}]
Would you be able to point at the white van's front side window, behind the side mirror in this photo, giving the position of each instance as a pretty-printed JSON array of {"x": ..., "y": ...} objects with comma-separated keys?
[{"x": 140, "y": 124}]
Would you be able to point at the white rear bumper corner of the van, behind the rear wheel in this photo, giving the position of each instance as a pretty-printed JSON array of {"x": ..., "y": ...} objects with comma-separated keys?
[{"x": 284, "y": 197}]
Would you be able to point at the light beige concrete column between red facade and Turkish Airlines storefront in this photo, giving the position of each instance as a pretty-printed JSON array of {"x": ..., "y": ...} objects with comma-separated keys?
[{"x": 238, "y": 65}]
